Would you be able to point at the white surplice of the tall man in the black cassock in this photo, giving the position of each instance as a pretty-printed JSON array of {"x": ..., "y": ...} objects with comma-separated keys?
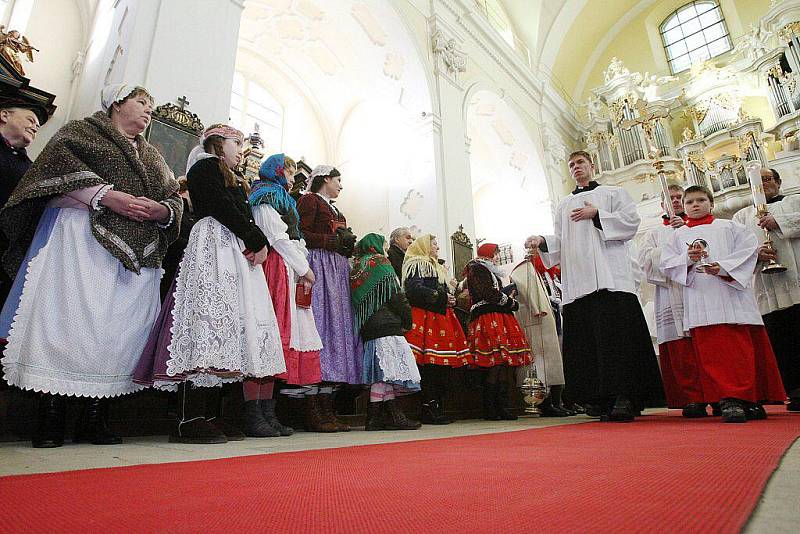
[{"x": 593, "y": 259}]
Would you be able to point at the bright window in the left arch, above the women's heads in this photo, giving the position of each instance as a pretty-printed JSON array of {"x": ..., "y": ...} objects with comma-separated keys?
[{"x": 251, "y": 104}]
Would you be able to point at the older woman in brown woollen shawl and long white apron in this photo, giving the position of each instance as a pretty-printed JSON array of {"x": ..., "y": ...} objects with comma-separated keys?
[{"x": 88, "y": 226}]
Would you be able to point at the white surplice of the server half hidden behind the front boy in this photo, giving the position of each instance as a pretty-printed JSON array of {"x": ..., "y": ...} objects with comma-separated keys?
[{"x": 669, "y": 295}]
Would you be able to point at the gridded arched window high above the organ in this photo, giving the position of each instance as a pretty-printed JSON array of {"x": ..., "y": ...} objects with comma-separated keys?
[{"x": 694, "y": 33}]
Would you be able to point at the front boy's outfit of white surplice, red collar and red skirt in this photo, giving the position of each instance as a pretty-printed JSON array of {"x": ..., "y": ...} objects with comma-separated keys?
[{"x": 734, "y": 356}]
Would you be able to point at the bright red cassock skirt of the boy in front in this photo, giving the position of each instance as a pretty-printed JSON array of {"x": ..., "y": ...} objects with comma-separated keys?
[{"x": 736, "y": 361}]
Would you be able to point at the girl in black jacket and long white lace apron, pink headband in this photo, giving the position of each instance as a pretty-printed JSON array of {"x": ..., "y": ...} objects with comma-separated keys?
[{"x": 224, "y": 326}]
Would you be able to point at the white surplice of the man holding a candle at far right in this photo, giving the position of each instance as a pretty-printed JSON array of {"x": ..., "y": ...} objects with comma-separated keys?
[{"x": 778, "y": 291}]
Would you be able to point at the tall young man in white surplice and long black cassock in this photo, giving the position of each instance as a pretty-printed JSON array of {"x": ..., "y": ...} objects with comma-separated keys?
[{"x": 609, "y": 361}]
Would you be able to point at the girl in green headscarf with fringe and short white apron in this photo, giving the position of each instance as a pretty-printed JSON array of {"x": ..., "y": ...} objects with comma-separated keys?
[{"x": 382, "y": 315}]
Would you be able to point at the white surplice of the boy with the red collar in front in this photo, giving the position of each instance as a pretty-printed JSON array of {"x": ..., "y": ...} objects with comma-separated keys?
[{"x": 708, "y": 299}]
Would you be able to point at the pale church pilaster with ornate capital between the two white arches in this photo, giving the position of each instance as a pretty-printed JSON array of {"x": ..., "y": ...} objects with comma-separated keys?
[{"x": 454, "y": 186}]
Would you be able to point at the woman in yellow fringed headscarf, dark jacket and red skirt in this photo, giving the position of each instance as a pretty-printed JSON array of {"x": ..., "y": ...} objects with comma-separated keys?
[{"x": 436, "y": 337}]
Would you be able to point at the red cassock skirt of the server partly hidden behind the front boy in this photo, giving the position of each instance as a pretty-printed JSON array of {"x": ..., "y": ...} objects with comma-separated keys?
[{"x": 680, "y": 373}]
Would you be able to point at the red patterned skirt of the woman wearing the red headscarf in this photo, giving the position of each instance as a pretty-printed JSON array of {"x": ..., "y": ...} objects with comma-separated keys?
[{"x": 496, "y": 338}]
